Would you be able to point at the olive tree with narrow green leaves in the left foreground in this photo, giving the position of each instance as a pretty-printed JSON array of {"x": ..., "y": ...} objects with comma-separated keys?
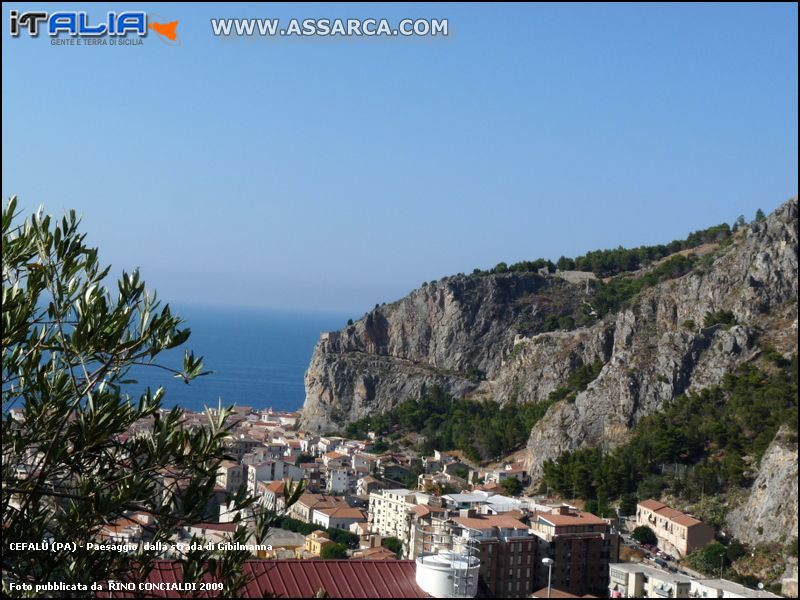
[{"x": 74, "y": 457}]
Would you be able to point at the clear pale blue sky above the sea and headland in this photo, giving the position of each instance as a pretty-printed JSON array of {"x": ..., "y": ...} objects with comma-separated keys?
[{"x": 332, "y": 174}]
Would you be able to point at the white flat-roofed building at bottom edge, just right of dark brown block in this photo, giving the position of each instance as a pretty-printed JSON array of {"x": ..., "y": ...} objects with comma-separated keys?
[{"x": 636, "y": 580}]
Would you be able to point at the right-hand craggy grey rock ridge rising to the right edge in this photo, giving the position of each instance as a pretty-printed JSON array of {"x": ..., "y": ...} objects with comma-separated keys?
[{"x": 659, "y": 349}]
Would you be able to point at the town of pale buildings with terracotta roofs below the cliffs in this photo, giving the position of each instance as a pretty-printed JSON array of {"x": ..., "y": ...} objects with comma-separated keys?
[{"x": 449, "y": 528}]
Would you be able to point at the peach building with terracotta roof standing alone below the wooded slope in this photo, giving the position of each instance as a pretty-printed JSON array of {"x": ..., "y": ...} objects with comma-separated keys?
[{"x": 677, "y": 533}]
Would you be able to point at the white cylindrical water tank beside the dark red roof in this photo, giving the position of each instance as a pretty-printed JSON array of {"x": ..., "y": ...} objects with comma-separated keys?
[{"x": 448, "y": 575}]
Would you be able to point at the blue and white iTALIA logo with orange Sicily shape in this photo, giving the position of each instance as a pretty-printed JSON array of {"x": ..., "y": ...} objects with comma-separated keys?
[{"x": 78, "y": 24}]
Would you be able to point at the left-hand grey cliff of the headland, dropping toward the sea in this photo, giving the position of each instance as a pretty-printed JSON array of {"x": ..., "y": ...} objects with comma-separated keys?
[{"x": 454, "y": 333}]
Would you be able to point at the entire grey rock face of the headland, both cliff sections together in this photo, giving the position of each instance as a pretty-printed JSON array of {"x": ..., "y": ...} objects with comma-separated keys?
[{"x": 482, "y": 336}]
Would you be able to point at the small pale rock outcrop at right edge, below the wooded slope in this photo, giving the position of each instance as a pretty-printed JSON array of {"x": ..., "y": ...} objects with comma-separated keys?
[{"x": 769, "y": 513}]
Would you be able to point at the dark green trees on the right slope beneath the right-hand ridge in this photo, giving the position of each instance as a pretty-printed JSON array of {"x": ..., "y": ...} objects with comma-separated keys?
[{"x": 696, "y": 445}]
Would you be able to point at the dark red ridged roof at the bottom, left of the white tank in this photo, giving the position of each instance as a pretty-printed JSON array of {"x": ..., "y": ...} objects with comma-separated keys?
[{"x": 303, "y": 579}]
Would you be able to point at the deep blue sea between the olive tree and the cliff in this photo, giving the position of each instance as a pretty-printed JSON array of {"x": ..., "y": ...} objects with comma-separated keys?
[{"x": 258, "y": 357}]
